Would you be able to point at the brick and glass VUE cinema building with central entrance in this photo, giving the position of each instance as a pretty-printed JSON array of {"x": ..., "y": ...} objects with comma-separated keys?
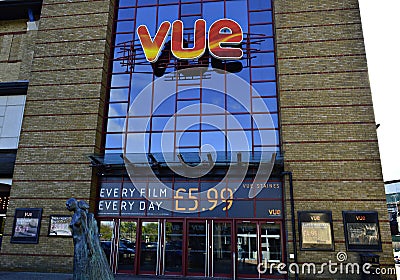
[{"x": 207, "y": 136}]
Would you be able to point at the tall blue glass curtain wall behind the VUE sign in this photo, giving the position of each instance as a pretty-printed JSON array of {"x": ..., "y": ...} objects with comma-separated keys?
[{"x": 131, "y": 73}]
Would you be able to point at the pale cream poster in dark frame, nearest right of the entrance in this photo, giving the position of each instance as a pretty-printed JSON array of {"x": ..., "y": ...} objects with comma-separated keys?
[{"x": 316, "y": 231}]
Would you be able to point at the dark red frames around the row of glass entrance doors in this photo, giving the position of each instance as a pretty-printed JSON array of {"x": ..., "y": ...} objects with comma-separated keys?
[{"x": 209, "y": 246}]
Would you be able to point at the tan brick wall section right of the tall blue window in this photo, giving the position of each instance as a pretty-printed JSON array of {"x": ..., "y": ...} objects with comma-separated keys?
[{"x": 328, "y": 127}]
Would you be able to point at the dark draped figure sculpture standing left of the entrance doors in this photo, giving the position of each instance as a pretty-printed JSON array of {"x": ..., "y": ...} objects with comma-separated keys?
[{"x": 90, "y": 262}]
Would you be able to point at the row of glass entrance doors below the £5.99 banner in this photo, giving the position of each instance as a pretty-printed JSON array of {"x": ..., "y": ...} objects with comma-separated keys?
[{"x": 192, "y": 247}]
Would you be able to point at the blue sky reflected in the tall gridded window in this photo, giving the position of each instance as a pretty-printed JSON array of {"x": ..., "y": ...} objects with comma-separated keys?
[{"x": 216, "y": 127}]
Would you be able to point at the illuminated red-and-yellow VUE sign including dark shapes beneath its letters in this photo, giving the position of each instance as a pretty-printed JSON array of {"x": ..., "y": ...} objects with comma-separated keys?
[{"x": 224, "y": 39}]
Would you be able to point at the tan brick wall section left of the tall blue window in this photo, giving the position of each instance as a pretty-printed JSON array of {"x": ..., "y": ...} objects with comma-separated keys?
[{"x": 62, "y": 124}]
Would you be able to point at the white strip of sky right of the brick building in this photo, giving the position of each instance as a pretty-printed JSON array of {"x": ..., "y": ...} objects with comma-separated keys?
[{"x": 381, "y": 23}]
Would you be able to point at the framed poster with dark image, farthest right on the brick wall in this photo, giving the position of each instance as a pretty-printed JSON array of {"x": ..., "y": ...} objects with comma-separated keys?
[{"x": 361, "y": 231}]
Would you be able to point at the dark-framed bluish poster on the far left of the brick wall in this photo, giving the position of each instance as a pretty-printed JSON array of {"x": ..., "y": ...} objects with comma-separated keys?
[{"x": 26, "y": 225}]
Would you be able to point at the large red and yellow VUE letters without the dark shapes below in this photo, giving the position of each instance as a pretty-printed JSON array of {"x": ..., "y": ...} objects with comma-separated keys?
[{"x": 223, "y": 35}]
